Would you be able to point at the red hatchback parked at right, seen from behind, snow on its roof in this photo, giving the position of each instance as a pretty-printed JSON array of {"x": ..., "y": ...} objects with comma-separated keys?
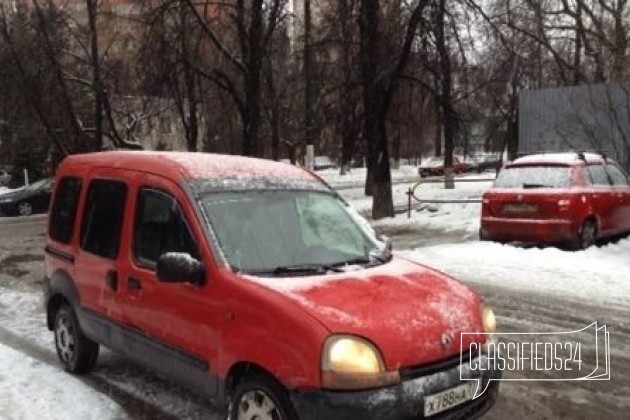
[{"x": 566, "y": 198}]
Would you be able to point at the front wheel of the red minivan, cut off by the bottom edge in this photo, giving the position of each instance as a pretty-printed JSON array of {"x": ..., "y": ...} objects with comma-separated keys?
[{"x": 260, "y": 397}]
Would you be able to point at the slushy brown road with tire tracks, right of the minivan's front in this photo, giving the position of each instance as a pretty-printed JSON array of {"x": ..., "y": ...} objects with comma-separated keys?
[{"x": 525, "y": 312}]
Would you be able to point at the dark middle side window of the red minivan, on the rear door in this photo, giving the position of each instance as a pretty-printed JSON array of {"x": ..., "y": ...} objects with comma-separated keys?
[{"x": 103, "y": 217}]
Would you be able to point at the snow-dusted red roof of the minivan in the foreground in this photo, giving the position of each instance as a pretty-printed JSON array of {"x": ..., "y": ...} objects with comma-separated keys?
[{"x": 180, "y": 166}]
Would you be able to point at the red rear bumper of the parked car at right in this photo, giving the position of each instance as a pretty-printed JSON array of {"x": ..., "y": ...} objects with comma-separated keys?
[{"x": 528, "y": 230}]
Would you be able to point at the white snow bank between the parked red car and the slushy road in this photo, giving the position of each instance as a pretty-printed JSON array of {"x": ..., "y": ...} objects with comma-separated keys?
[{"x": 596, "y": 275}]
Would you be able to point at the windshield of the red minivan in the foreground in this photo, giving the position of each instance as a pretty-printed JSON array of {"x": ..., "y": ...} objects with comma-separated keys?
[{"x": 260, "y": 231}]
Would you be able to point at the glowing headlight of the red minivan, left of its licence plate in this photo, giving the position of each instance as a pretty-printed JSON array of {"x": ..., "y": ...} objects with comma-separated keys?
[{"x": 350, "y": 362}]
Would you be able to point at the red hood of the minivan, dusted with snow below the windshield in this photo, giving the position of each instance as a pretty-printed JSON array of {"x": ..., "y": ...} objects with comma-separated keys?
[{"x": 414, "y": 314}]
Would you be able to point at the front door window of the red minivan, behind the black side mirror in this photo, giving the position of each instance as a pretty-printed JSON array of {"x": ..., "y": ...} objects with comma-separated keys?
[{"x": 160, "y": 228}]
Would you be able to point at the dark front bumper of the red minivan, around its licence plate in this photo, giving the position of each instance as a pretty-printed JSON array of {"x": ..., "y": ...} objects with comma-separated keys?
[{"x": 403, "y": 401}]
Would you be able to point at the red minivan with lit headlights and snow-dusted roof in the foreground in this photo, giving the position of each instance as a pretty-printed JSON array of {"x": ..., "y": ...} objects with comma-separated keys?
[{"x": 256, "y": 285}]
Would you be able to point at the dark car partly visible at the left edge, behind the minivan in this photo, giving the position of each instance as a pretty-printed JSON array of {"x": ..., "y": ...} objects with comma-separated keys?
[{"x": 29, "y": 200}]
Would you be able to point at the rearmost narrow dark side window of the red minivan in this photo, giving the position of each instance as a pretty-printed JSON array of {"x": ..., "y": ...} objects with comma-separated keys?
[{"x": 64, "y": 209}]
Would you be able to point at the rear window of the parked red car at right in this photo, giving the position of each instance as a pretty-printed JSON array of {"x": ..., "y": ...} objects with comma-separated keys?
[{"x": 537, "y": 176}]
